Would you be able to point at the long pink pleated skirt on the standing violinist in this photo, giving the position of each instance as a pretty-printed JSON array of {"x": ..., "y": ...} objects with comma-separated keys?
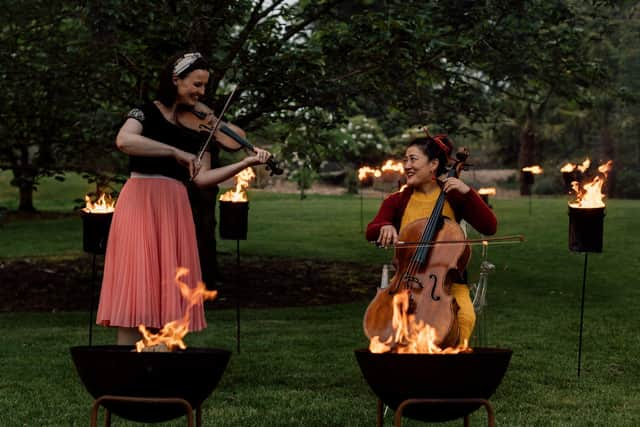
[{"x": 152, "y": 234}]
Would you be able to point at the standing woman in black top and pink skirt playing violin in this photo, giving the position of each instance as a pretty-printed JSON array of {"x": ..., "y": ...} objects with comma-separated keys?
[{"x": 152, "y": 232}]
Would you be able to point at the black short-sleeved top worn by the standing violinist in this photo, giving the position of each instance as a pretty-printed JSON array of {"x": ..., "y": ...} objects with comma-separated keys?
[{"x": 155, "y": 126}]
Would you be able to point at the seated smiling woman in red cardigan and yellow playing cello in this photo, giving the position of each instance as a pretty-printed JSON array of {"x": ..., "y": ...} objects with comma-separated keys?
[{"x": 425, "y": 160}]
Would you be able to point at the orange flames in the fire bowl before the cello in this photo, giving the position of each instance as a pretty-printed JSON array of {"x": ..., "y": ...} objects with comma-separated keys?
[{"x": 410, "y": 336}]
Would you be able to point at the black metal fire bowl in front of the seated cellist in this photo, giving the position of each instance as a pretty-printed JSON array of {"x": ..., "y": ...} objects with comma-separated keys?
[{"x": 395, "y": 378}]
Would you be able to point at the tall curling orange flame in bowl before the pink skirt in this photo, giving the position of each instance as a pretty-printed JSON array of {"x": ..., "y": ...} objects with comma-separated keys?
[{"x": 172, "y": 333}]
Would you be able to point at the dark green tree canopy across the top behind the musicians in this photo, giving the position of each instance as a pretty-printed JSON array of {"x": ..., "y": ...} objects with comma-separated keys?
[{"x": 454, "y": 64}]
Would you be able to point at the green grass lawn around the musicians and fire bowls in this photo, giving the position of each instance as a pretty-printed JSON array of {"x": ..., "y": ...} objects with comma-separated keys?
[{"x": 297, "y": 365}]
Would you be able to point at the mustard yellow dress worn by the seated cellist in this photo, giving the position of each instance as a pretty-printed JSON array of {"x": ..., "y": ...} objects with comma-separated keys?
[{"x": 420, "y": 206}]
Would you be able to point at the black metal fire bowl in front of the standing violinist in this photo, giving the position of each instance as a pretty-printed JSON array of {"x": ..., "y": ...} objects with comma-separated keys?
[{"x": 190, "y": 374}]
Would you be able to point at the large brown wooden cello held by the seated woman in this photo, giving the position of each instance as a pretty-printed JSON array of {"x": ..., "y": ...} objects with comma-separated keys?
[{"x": 426, "y": 271}]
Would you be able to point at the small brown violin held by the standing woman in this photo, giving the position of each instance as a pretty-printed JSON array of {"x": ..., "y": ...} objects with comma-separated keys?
[{"x": 230, "y": 137}]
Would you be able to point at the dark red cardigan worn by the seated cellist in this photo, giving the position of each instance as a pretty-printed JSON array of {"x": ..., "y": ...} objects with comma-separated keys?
[{"x": 469, "y": 207}]
